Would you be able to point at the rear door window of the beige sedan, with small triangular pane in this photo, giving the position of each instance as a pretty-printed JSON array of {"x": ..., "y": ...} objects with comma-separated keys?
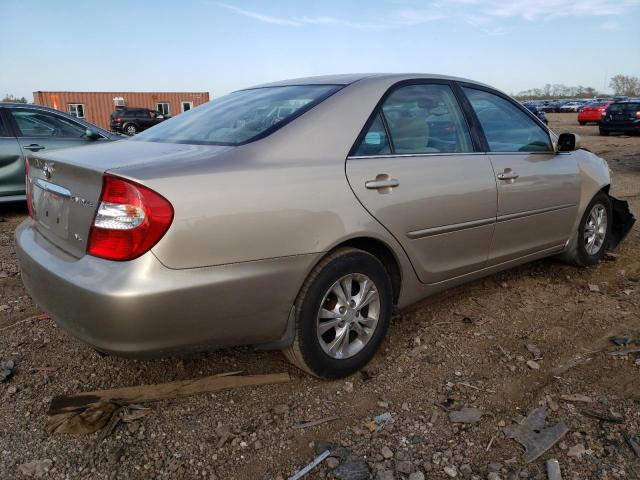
[{"x": 423, "y": 118}]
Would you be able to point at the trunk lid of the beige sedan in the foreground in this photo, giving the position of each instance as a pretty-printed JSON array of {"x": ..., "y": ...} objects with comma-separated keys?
[{"x": 65, "y": 185}]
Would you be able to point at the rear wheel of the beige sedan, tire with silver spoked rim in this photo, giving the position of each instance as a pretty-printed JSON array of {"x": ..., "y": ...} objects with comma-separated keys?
[{"x": 342, "y": 314}]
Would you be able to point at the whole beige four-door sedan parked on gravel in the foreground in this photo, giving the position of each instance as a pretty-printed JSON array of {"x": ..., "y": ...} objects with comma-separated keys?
[{"x": 298, "y": 215}]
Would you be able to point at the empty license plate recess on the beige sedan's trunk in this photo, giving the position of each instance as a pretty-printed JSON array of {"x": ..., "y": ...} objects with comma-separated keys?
[{"x": 51, "y": 206}]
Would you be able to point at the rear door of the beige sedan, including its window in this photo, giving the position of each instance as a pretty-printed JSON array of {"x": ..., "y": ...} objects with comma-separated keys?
[{"x": 415, "y": 169}]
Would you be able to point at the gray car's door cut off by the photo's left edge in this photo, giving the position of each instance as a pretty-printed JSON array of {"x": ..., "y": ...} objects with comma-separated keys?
[{"x": 11, "y": 161}]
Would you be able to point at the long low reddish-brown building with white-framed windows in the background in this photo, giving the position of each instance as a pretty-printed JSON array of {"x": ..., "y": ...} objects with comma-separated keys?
[{"x": 96, "y": 107}]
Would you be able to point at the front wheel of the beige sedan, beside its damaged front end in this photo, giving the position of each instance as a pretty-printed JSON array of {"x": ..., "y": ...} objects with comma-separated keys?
[{"x": 590, "y": 242}]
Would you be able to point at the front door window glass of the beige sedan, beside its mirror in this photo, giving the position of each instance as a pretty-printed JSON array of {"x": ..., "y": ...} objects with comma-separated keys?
[{"x": 505, "y": 126}]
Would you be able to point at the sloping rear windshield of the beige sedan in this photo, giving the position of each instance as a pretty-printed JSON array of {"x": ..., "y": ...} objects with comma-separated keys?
[{"x": 239, "y": 117}]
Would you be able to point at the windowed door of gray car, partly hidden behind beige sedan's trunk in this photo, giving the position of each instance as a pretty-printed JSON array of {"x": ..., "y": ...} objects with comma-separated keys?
[{"x": 40, "y": 130}]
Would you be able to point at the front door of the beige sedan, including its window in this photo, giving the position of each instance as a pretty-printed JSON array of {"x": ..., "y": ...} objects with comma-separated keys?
[{"x": 538, "y": 189}]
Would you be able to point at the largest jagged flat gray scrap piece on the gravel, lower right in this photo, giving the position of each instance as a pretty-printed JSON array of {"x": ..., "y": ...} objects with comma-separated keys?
[{"x": 533, "y": 436}]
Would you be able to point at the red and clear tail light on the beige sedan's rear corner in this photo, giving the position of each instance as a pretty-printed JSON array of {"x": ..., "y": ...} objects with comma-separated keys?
[{"x": 130, "y": 220}]
